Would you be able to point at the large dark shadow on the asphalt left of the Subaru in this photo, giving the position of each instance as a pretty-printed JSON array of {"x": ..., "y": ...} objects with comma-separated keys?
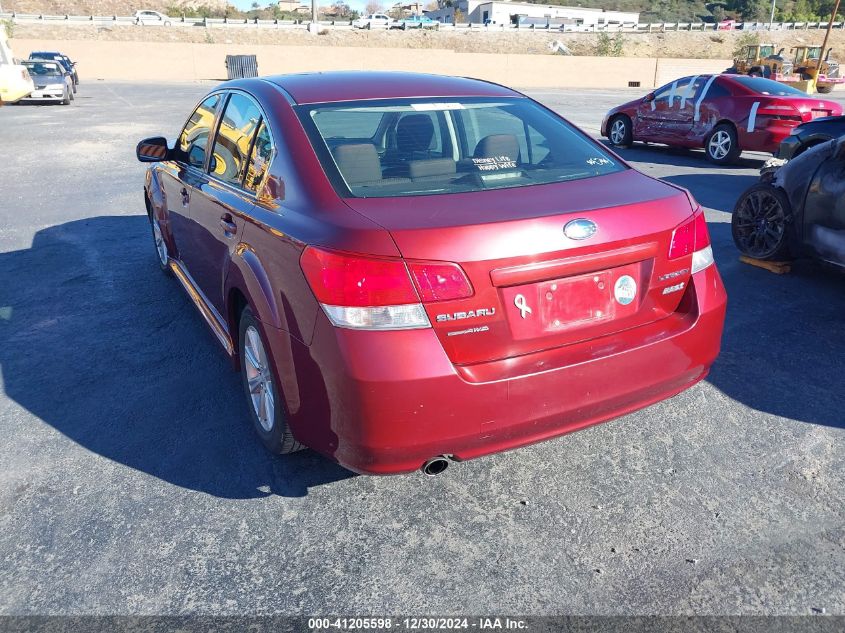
[{"x": 99, "y": 344}]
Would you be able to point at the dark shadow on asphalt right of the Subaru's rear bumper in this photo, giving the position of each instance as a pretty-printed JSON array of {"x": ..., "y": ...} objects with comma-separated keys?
[{"x": 782, "y": 348}]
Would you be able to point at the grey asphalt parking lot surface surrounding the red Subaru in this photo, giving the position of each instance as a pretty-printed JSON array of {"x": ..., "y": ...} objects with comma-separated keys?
[{"x": 131, "y": 480}]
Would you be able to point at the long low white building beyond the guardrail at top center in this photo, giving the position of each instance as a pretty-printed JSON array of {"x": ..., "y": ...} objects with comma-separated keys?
[{"x": 508, "y": 12}]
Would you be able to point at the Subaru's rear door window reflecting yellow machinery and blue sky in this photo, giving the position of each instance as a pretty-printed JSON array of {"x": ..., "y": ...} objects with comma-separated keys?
[{"x": 233, "y": 142}]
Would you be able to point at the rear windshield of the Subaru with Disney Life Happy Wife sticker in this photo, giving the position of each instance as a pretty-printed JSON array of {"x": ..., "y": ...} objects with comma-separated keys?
[{"x": 419, "y": 147}]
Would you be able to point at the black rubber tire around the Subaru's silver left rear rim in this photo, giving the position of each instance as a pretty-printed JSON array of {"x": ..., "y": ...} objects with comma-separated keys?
[{"x": 278, "y": 439}]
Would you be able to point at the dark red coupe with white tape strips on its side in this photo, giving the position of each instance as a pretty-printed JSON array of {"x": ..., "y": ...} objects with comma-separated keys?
[{"x": 724, "y": 114}]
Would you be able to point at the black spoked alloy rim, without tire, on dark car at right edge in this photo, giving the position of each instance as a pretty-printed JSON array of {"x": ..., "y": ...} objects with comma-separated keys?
[{"x": 760, "y": 224}]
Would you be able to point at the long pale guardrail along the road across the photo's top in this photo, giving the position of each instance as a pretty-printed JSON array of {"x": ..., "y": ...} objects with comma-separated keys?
[{"x": 653, "y": 27}]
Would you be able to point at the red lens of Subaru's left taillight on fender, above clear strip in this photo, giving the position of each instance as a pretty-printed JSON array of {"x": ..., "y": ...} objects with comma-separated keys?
[{"x": 344, "y": 279}]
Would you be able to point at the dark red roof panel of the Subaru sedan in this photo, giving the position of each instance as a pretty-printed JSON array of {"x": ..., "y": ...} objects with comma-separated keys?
[{"x": 359, "y": 85}]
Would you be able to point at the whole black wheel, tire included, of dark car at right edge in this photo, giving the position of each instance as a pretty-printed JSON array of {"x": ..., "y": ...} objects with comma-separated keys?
[{"x": 760, "y": 223}]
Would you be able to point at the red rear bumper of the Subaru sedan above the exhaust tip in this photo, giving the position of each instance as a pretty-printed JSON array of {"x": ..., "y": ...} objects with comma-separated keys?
[{"x": 393, "y": 404}]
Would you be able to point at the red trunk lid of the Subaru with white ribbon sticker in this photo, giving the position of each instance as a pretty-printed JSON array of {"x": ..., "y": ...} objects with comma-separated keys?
[{"x": 534, "y": 287}]
